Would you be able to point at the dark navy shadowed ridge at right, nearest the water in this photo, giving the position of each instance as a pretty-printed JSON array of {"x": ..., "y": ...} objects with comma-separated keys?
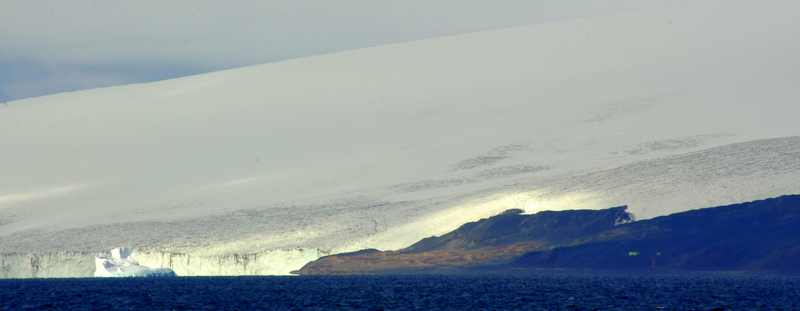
[{"x": 754, "y": 236}]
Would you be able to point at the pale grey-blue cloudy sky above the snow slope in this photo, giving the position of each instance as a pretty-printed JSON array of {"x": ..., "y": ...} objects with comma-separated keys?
[{"x": 49, "y": 47}]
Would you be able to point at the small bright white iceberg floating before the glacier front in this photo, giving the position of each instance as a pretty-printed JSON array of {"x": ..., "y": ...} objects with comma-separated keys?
[{"x": 122, "y": 262}]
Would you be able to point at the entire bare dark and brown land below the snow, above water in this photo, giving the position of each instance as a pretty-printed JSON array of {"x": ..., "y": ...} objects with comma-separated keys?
[{"x": 760, "y": 236}]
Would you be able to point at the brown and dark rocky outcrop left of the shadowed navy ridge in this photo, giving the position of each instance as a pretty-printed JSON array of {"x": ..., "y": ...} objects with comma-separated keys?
[{"x": 492, "y": 241}]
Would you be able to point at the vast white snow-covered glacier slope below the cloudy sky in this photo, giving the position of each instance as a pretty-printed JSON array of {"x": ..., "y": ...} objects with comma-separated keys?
[{"x": 664, "y": 111}]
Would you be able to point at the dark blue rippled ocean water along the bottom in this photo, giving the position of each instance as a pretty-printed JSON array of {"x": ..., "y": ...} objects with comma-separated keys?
[{"x": 415, "y": 292}]
